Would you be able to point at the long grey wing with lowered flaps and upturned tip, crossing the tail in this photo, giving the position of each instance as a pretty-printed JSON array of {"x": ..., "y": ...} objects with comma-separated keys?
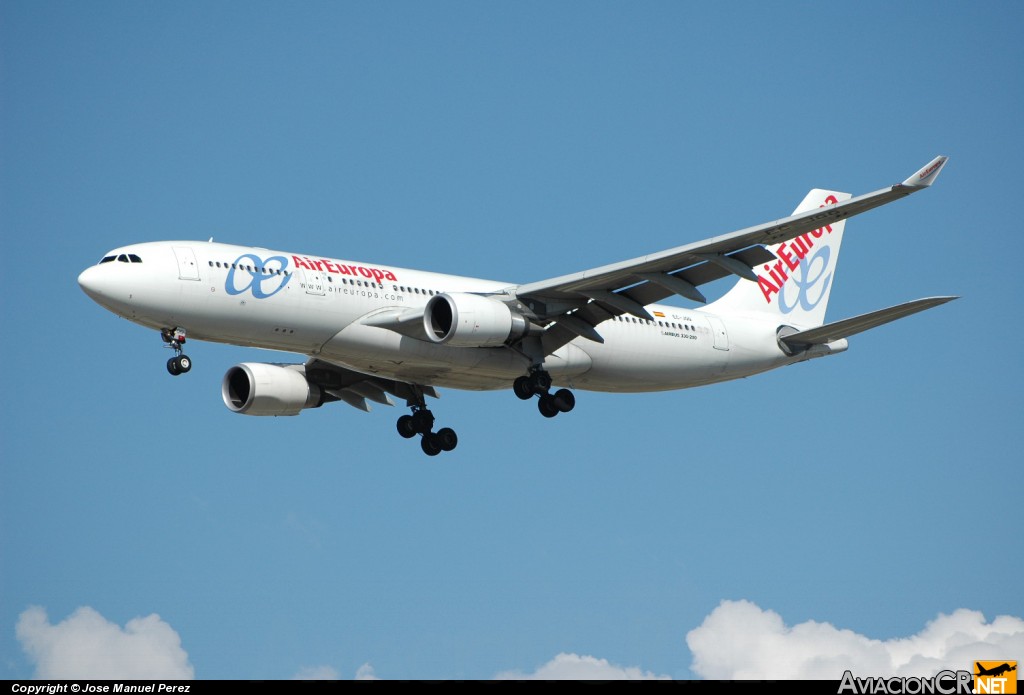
[{"x": 579, "y": 302}]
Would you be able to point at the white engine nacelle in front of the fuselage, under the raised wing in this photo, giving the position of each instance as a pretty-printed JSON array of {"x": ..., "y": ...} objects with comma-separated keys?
[{"x": 471, "y": 321}]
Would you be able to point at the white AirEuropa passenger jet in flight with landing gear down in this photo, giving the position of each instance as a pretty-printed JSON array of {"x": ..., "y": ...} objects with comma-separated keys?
[{"x": 371, "y": 332}]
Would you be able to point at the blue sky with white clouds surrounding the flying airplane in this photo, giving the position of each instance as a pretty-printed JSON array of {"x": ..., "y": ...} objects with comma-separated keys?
[{"x": 862, "y": 500}]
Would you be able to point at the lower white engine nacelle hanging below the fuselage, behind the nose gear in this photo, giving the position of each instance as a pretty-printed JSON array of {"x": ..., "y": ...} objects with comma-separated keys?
[{"x": 259, "y": 389}]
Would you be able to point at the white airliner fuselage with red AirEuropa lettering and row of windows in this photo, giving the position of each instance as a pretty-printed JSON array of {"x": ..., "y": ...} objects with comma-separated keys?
[{"x": 316, "y": 307}]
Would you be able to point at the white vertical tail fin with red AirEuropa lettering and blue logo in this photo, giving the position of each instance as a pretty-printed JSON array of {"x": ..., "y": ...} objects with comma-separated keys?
[{"x": 796, "y": 287}]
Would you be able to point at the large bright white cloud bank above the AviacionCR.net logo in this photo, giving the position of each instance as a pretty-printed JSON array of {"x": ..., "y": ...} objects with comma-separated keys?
[{"x": 741, "y": 641}]
